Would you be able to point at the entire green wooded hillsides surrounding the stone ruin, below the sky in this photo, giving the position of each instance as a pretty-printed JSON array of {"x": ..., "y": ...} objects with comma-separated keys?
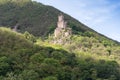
[{"x": 28, "y": 51}]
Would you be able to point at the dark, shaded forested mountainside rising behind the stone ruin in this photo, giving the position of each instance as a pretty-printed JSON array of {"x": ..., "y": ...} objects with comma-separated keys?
[{"x": 34, "y": 17}]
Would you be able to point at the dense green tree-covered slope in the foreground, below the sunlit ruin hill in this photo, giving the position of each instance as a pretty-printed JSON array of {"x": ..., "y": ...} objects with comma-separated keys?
[{"x": 21, "y": 59}]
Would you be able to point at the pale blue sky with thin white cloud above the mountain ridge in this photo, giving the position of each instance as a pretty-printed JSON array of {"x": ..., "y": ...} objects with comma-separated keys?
[{"x": 102, "y": 16}]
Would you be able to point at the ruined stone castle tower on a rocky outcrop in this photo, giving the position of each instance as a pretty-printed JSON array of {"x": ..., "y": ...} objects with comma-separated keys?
[{"x": 62, "y": 32}]
